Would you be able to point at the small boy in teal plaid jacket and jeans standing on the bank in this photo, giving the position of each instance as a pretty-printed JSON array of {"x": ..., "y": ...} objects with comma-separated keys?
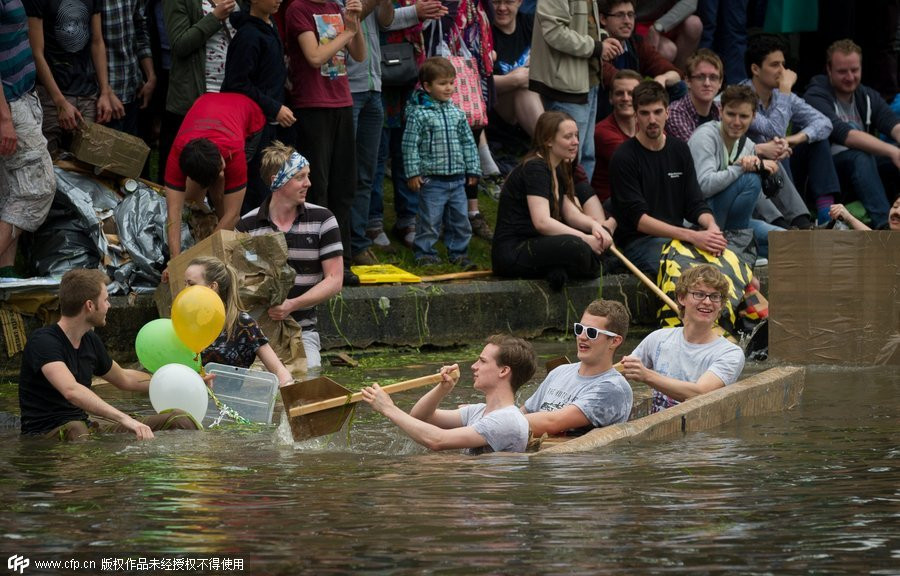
[{"x": 440, "y": 156}]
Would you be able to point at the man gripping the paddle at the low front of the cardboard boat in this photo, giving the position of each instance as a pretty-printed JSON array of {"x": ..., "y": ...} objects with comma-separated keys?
[{"x": 504, "y": 365}]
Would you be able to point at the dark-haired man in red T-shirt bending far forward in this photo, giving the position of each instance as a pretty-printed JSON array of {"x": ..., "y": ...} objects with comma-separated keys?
[{"x": 209, "y": 159}]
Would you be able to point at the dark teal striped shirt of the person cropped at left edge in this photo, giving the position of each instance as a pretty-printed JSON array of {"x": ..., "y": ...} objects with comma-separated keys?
[{"x": 16, "y": 62}]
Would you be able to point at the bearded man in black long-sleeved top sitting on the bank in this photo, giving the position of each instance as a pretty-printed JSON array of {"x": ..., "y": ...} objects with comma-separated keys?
[{"x": 654, "y": 188}]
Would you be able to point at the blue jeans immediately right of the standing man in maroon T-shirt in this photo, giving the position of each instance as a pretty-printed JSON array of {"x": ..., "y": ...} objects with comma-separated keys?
[{"x": 368, "y": 117}]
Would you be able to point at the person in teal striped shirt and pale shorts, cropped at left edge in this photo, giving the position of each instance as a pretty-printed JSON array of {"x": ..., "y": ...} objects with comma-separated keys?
[{"x": 27, "y": 182}]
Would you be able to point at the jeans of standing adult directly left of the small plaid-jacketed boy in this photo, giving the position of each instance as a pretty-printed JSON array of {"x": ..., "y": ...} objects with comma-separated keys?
[{"x": 406, "y": 201}]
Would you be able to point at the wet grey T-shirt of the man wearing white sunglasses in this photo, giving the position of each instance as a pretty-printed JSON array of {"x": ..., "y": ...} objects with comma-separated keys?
[{"x": 604, "y": 399}]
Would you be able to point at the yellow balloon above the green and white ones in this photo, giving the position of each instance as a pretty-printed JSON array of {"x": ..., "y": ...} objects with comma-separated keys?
[{"x": 198, "y": 316}]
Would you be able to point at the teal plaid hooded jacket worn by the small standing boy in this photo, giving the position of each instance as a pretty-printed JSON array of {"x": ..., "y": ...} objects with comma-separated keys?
[{"x": 437, "y": 140}]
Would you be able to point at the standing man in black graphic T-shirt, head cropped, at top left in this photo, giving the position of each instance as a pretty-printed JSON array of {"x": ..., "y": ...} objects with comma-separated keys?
[{"x": 72, "y": 73}]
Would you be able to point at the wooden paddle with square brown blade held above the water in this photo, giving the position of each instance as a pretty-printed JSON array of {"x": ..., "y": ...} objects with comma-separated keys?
[{"x": 321, "y": 406}]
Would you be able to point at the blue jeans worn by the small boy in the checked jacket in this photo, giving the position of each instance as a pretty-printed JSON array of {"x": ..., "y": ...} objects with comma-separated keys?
[{"x": 442, "y": 200}]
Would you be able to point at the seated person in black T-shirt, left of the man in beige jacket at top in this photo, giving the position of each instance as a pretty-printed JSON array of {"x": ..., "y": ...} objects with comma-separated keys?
[{"x": 516, "y": 104}]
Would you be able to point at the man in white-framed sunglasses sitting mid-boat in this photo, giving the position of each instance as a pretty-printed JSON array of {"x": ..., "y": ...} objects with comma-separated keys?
[{"x": 590, "y": 393}]
